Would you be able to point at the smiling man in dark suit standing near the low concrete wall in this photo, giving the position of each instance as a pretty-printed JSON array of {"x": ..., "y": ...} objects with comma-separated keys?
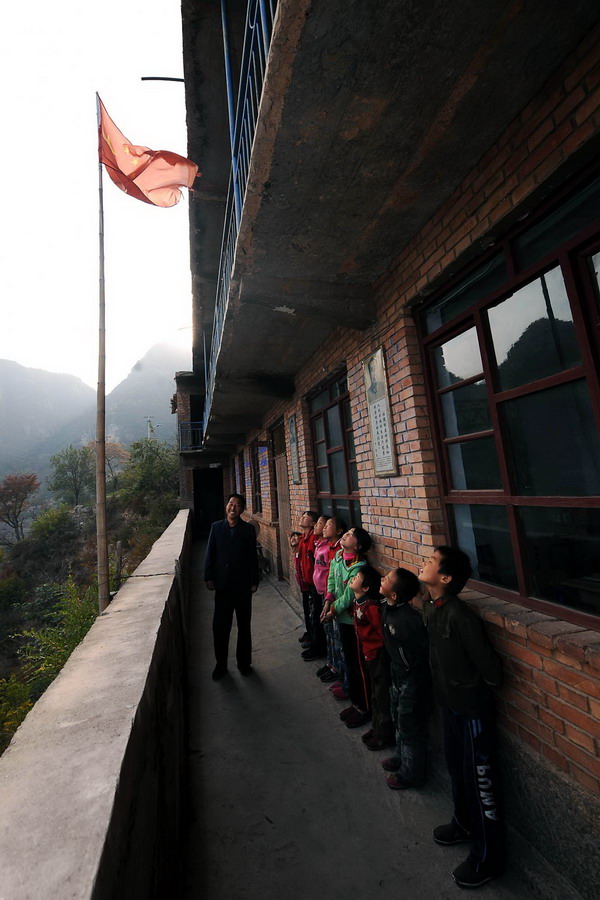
[{"x": 231, "y": 571}]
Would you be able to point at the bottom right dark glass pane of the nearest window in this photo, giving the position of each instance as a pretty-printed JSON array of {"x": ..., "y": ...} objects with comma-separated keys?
[{"x": 562, "y": 555}]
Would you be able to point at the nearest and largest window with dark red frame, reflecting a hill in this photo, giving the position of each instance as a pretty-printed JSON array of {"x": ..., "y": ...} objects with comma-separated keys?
[{"x": 514, "y": 387}]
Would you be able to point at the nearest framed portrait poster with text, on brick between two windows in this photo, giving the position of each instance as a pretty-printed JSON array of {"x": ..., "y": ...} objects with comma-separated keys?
[{"x": 380, "y": 420}]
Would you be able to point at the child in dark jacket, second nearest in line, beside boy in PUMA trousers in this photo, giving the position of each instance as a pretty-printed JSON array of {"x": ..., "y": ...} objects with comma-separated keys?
[{"x": 405, "y": 640}]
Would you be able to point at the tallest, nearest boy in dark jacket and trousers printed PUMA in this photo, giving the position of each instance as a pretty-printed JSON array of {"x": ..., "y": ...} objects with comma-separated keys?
[{"x": 463, "y": 666}]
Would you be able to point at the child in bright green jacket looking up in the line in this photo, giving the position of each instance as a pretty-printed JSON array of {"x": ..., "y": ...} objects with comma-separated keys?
[{"x": 338, "y": 602}]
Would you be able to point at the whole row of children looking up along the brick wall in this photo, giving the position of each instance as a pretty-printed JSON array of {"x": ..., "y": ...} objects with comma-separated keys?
[{"x": 388, "y": 658}]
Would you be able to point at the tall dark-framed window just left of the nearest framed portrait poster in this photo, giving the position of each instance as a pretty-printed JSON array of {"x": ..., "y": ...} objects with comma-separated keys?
[{"x": 334, "y": 452}]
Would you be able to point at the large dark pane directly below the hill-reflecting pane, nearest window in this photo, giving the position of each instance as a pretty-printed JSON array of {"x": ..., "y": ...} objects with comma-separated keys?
[{"x": 554, "y": 445}]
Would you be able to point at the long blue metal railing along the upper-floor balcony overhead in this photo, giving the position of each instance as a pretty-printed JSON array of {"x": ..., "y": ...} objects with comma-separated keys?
[{"x": 259, "y": 24}]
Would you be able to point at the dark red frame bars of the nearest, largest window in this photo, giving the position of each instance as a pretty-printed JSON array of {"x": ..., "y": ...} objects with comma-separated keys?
[{"x": 572, "y": 258}]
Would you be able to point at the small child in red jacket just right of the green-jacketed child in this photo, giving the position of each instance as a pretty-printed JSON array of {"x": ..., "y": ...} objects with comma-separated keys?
[{"x": 373, "y": 658}]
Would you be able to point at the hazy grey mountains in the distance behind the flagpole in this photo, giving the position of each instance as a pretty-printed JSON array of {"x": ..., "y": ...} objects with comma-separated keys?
[{"x": 39, "y": 416}]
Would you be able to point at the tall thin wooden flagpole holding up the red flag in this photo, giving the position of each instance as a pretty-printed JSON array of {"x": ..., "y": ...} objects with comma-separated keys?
[{"x": 101, "y": 538}]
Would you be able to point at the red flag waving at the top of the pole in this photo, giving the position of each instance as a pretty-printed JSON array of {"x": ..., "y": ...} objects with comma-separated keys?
[{"x": 154, "y": 176}]
